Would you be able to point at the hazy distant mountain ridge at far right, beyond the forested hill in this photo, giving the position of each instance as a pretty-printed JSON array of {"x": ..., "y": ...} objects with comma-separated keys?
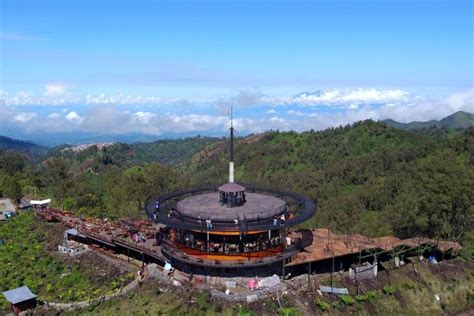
[{"x": 458, "y": 120}]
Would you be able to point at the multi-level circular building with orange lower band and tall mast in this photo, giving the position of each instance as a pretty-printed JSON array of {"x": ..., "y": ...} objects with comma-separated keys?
[{"x": 230, "y": 229}]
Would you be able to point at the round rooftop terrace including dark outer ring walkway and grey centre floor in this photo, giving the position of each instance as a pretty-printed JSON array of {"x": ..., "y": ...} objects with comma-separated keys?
[{"x": 189, "y": 202}]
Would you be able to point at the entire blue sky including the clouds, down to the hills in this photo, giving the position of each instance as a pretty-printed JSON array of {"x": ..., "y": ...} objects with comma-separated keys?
[{"x": 164, "y": 68}]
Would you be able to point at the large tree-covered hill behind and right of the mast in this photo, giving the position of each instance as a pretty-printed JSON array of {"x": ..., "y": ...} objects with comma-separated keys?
[{"x": 371, "y": 178}]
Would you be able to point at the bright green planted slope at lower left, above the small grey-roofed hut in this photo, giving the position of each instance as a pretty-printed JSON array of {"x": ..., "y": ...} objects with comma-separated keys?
[{"x": 29, "y": 257}]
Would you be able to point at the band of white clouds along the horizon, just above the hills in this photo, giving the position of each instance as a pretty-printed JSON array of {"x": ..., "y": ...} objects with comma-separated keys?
[{"x": 255, "y": 111}]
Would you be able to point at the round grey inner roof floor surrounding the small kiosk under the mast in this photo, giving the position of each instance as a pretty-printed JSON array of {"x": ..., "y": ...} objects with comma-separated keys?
[{"x": 207, "y": 206}]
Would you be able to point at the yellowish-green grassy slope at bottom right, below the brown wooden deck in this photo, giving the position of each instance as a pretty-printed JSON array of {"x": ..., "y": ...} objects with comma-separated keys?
[{"x": 408, "y": 293}]
